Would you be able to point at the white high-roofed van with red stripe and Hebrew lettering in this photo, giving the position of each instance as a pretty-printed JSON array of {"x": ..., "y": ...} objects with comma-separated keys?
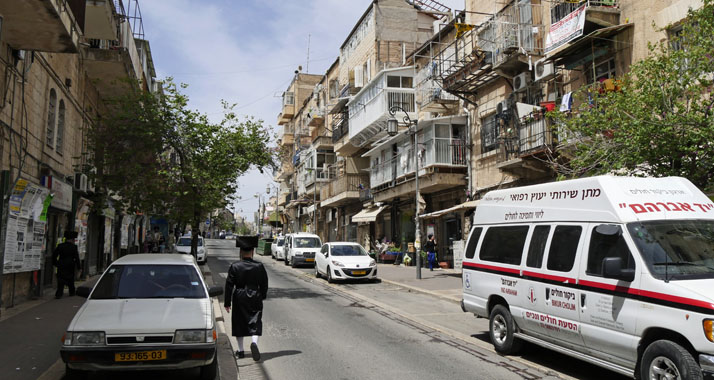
[{"x": 616, "y": 271}]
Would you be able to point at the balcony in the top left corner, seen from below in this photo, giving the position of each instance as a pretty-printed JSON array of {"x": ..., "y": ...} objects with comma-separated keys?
[{"x": 42, "y": 25}]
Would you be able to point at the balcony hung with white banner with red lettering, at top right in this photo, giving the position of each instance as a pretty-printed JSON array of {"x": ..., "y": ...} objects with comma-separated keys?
[{"x": 570, "y": 21}]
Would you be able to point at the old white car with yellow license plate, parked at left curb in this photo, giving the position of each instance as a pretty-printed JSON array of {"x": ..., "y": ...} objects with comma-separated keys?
[{"x": 147, "y": 311}]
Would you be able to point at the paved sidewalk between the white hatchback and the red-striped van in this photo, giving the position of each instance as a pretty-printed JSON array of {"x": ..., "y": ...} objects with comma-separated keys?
[{"x": 442, "y": 283}]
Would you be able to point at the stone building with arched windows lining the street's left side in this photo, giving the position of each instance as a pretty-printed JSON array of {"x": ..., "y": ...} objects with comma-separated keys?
[{"x": 61, "y": 60}]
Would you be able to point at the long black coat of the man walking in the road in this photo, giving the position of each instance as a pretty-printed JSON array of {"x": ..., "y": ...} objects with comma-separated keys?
[{"x": 246, "y": 288}]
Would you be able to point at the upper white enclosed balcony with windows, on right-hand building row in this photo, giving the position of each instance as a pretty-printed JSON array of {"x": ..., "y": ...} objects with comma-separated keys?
[{"x": 369, "y": 109}]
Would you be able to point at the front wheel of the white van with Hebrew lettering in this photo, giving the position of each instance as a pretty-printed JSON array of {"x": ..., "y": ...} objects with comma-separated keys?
[{"x": 664, "y": 359}]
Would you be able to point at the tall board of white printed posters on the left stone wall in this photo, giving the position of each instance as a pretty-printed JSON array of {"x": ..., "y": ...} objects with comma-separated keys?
[{"x": 25, "y": 235}]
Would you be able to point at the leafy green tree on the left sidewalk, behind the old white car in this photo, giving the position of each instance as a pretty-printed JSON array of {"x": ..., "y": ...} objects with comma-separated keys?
[{"x": 163, "y": 158}]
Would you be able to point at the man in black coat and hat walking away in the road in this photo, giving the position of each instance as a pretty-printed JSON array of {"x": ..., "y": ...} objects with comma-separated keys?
[{"x": 246, "y": 288}]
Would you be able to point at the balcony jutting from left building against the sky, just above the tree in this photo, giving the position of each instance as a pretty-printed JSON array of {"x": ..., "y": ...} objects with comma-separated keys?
[{"x": 114, "y": 64}]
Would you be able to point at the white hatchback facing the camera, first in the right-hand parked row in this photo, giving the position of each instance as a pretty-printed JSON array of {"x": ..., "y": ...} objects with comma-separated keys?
[{"x": 344, "y": 261}]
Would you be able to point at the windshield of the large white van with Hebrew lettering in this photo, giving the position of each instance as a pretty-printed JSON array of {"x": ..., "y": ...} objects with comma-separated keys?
[{"x": 676, "y": 249}]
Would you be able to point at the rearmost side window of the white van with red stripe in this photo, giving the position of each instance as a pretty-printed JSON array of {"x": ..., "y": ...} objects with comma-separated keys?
[{"x": 504, "y": 244}]
